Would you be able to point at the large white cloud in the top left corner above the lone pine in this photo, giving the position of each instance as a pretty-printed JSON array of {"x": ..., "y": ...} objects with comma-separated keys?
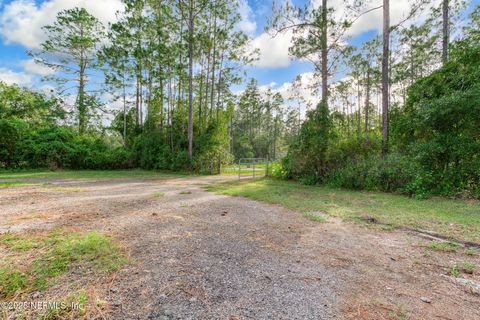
[{"x": 21, "y": 21}]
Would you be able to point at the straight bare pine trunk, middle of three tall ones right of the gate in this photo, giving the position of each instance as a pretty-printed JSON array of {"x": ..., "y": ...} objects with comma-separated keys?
[{"x": 385, "y": 75}]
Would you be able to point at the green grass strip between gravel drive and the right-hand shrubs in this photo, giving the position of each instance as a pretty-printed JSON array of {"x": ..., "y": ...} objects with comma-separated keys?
[{"x": 457, "y": 219}]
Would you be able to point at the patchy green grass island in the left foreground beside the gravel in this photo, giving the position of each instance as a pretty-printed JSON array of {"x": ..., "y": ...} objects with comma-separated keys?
[{"x": 52, "y": 255}]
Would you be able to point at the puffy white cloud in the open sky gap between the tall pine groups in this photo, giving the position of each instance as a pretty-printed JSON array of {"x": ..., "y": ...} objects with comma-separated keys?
[{"x": 273, "y": 50}]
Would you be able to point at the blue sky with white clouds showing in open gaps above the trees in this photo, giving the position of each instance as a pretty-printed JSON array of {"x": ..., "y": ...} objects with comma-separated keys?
[{"x": 21, "y": 22}]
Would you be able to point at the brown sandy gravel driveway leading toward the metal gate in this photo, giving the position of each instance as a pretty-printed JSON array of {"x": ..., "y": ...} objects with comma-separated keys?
[{"x": 205, "y": 256}]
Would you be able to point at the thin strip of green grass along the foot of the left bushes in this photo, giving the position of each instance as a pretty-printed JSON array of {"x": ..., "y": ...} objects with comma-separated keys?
[{"x": 135, "y": 173}]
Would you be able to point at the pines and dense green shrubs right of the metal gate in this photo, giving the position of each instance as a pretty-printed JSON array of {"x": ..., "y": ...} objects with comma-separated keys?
[{"x": 420, "y": 137}]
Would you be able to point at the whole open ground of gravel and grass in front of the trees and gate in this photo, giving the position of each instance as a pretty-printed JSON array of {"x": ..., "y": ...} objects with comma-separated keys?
[{"x": 142, "y": 245}]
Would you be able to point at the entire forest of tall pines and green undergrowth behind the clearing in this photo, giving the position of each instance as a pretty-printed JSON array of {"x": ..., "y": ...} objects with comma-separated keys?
[{"x": 399, "y": 112}]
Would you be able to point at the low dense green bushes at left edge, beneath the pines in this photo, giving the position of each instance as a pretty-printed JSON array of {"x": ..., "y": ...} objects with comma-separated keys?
[{"x": 56, "y": 147}]
